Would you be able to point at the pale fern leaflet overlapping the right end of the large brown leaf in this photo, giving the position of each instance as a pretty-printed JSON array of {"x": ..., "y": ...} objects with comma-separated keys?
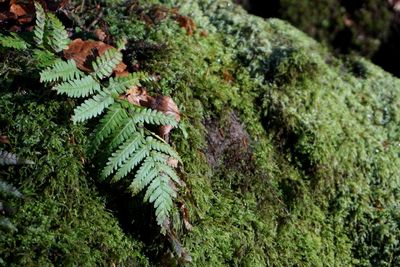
[{"x": 105, "y": 64}]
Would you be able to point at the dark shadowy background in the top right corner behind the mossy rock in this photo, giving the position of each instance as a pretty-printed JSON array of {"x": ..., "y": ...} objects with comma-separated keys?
[{"x": 367, "y": 28}]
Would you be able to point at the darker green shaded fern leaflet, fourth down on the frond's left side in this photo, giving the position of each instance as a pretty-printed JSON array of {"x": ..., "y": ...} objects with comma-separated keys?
[{"x": 114, "y": 117}]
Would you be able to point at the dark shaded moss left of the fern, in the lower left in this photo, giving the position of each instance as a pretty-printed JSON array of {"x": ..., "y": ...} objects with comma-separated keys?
[{"x": 61, "y": 219}]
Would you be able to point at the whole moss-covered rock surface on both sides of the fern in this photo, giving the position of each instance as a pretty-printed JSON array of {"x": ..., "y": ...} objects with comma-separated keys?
[{"x": 291, "y": 157}]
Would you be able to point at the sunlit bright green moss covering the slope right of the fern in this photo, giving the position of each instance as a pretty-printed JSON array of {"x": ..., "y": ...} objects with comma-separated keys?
[{"x": 311, "y": 141}]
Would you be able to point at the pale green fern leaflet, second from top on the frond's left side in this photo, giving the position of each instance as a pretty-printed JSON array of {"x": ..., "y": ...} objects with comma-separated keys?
[{"x": 79, "y": 87}]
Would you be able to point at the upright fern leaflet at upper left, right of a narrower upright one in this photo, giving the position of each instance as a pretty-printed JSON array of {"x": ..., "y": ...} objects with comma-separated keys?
[{"x": 57, "y": 37}]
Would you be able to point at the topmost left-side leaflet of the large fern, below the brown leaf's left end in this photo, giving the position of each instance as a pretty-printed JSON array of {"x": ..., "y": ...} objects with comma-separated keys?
[{"x": 61, "y": 70}]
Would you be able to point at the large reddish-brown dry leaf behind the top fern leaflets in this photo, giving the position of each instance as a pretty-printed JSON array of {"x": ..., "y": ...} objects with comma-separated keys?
[{"x": 84, "y": 52}]
